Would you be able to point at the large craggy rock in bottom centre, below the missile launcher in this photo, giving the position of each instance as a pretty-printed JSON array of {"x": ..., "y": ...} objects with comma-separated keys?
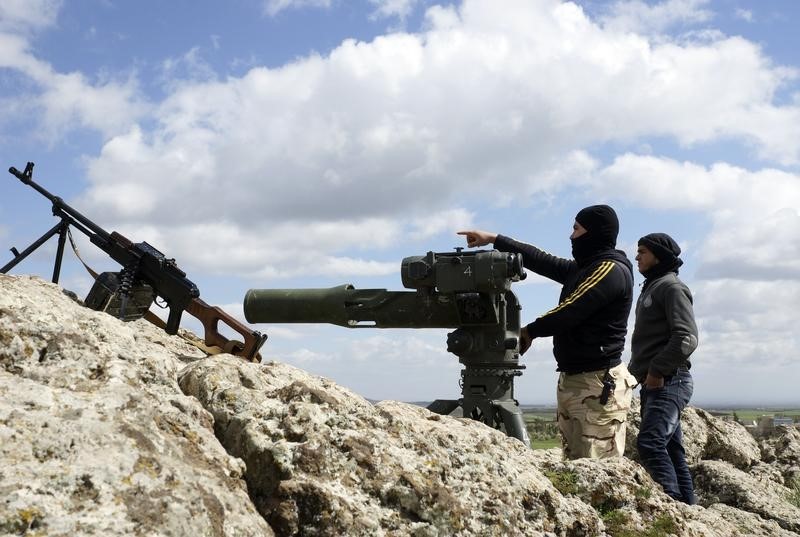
[{"x": 323, "y": 461}]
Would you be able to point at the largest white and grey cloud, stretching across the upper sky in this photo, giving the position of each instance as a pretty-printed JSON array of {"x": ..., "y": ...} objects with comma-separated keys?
[{"x": 381, "y": 141}]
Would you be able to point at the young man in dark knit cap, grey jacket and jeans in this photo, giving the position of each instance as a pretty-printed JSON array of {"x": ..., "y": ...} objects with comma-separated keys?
[{"x": 664, "y": 336}]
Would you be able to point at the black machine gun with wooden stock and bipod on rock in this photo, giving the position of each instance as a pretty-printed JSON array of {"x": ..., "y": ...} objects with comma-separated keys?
[{"x": 146, "y": 274}]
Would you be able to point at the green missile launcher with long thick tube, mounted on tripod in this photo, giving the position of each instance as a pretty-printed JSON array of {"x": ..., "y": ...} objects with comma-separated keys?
[{"x": 468, "y": 291}]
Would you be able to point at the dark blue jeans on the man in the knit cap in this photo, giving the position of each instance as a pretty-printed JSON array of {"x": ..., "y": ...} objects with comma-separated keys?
[{"x": 660, "y": 440}]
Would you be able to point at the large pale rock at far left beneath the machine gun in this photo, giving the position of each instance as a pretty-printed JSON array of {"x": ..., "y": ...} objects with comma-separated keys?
[{"x": 95, "y": 434}]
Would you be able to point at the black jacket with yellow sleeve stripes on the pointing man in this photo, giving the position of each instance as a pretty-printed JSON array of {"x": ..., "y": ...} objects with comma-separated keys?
[{"x": 590, "y": 322}]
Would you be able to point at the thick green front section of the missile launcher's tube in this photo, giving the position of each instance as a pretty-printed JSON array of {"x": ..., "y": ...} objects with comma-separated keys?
[{"x": 298, "y": 305}]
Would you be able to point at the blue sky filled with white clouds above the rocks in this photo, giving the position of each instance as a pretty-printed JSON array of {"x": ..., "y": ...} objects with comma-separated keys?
[{"x": 311, "y": 143}]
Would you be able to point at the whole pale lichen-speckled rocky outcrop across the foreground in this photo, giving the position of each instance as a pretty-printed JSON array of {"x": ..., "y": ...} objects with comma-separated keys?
[{"x": 109, "y": 428}]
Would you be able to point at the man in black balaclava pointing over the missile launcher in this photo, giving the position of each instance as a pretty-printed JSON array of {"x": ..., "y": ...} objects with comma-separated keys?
[{"x": 588, "y": 327}]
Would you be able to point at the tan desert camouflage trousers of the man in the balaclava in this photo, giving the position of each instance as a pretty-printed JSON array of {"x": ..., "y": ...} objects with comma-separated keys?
[{"x": 589, "y": 429}]
